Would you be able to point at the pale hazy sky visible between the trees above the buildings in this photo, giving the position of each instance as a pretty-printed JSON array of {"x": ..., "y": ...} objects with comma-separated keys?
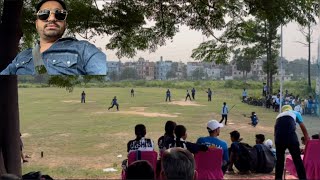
[{"x": 181, "y": 46}]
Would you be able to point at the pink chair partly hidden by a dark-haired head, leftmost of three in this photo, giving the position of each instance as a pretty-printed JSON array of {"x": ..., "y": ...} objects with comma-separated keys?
[{"x": 150, "y": 156}]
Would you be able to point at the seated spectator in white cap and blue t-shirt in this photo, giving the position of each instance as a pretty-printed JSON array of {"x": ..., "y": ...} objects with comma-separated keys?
[{"x": 212, "y": 141}]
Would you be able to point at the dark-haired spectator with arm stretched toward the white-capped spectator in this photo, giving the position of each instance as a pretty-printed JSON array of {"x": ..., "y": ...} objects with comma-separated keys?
[{"x": 180, "y": 141}]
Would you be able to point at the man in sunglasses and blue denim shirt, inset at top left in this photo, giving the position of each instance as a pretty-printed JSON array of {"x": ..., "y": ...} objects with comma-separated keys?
[{"x": 53, "y": 54}]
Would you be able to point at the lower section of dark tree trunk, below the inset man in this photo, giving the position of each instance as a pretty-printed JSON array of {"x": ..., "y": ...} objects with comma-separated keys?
[{"x": 9, "y": 134}]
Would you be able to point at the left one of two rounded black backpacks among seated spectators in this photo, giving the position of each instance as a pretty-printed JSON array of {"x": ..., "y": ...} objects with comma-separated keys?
[{"x": 246, "y": 157}]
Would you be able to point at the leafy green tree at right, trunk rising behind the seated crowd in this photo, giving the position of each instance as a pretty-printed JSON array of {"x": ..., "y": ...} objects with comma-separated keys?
[{"x": 259, "y": 19}]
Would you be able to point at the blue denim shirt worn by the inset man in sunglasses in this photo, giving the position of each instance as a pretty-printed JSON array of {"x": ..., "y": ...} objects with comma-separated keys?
[{"x": 67, "y": 56}]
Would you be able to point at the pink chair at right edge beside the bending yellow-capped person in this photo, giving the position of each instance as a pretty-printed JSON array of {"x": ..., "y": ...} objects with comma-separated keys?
[{"x": 311, "y": 160}]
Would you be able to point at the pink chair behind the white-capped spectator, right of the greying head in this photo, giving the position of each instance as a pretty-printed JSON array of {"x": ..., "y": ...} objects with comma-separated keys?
[{"x": 208, "y": 164}]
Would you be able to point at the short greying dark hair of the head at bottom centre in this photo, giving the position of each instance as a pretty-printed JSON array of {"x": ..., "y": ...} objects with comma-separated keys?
[{"x": 177, "y": 163}]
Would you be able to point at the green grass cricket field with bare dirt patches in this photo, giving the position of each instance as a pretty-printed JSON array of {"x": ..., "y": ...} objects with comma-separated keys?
[{"x": 80, "y": 140}]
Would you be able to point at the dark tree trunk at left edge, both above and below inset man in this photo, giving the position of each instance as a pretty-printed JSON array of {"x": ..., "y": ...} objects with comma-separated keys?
[{"x": 10, "y": 34}]
